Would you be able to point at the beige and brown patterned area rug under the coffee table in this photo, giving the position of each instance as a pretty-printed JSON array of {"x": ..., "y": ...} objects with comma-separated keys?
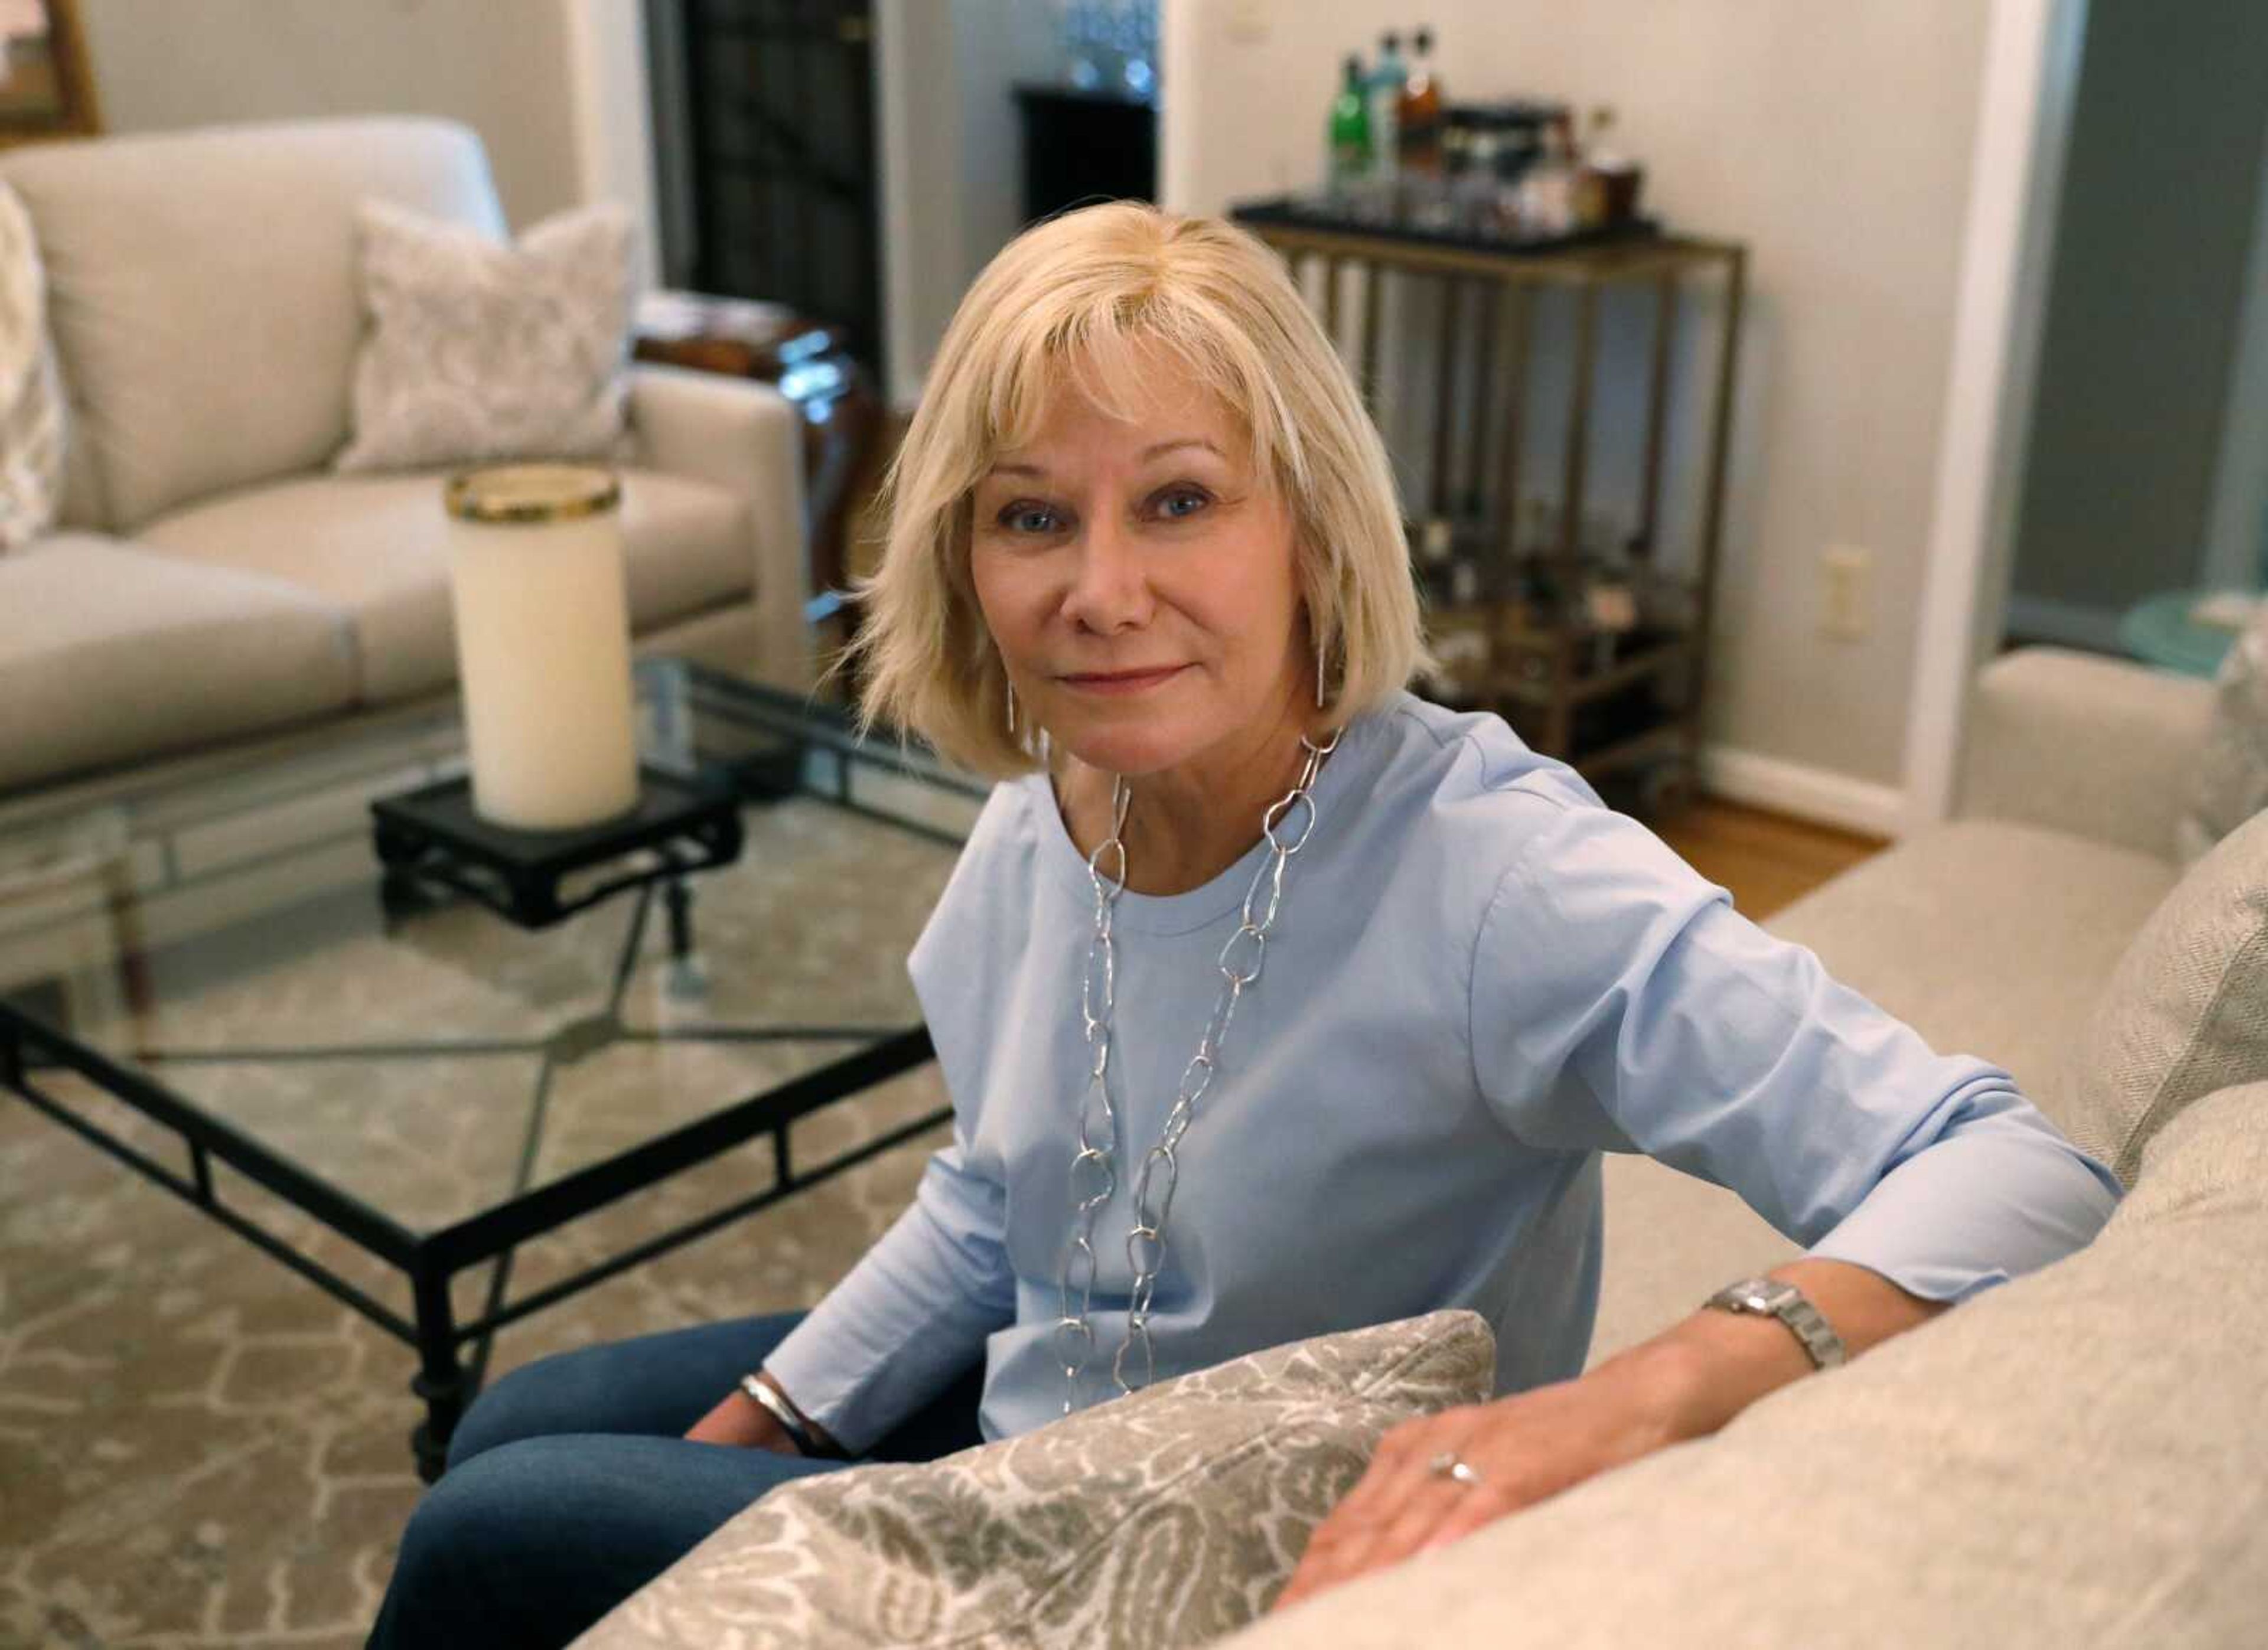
[{"x": 198, "y": 1447}]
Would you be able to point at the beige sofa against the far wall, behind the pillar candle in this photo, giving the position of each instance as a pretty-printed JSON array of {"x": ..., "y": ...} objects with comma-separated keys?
[{"x": 210, "y": 579}]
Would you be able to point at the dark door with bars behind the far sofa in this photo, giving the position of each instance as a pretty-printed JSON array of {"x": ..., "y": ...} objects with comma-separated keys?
[{"x": 779, "y": 162}]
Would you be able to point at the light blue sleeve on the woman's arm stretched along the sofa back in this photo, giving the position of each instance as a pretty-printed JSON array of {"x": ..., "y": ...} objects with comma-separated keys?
[{"x": 1623, "y": 1005}]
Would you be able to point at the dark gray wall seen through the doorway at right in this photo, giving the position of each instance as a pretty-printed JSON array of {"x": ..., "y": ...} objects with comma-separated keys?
[{"x": 2144, "y": 307}]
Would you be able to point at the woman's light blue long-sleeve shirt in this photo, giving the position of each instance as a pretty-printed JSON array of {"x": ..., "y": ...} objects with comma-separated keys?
[{"x": 1480, "y": 980}]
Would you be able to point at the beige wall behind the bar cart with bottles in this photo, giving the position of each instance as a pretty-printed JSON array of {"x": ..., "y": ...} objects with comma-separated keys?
[{"x": 1834, "y": 142}]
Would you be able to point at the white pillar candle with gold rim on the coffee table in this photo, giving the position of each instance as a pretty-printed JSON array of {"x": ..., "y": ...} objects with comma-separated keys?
[{"x": 543, "y": 645}]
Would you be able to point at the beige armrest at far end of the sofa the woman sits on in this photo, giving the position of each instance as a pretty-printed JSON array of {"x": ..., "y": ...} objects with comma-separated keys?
[{"x": 2083, "y": 745}]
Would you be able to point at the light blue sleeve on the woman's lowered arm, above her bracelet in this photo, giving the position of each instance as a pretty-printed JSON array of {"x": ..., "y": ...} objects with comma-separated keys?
[{"x": 911, "y": 1316}]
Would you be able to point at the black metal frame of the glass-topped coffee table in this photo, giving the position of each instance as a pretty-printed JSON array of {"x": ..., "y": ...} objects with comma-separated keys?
[{"x": 446, "y": 1381}]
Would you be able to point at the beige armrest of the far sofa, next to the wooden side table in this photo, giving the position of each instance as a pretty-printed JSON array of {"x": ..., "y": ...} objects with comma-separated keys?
[{"x": 747, "y": 439}]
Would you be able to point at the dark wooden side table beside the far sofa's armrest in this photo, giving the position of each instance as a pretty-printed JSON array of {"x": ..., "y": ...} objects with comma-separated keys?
[{"x": 811, "y": 366}]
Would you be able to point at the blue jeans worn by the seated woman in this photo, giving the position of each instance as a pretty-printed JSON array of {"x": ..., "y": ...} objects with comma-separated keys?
[{"x": 570, "y": 1486}]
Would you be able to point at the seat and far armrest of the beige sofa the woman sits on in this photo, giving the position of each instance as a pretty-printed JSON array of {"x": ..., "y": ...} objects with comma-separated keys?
[{"x": 1992, "y": 935}]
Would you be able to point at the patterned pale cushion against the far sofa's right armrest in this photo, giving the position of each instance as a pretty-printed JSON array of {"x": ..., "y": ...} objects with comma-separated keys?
[{"x": 486, "y": 352}]
